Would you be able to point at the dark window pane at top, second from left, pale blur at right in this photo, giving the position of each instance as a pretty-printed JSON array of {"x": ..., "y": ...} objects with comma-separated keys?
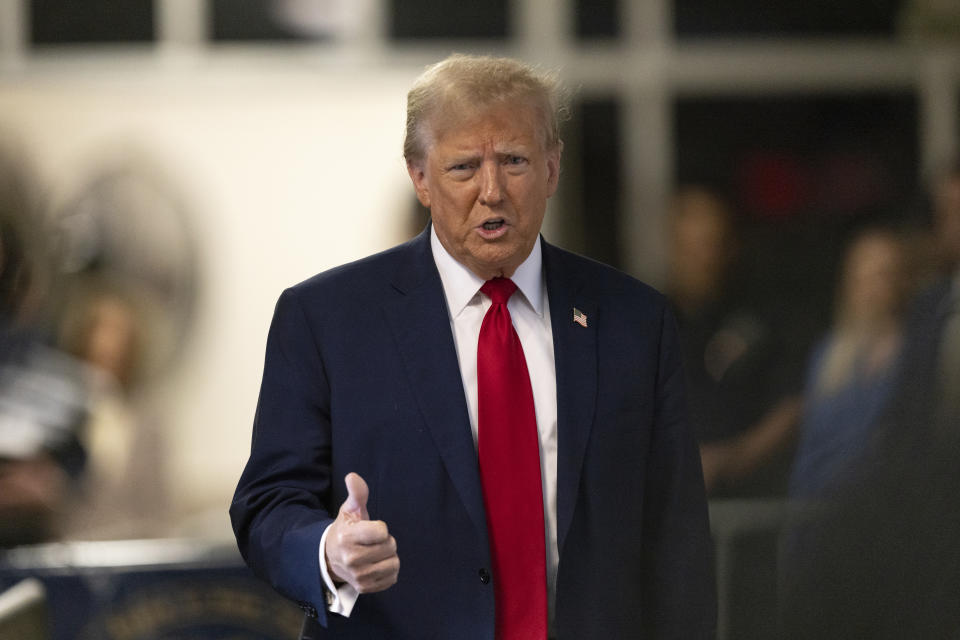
[{"x": 263, "y": 20}]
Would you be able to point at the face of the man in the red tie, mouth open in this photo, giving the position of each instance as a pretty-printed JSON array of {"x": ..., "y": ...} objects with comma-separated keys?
[{"x": 486, "y": 180}]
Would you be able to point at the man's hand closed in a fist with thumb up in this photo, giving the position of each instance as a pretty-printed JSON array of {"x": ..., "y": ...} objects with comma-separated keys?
[{"x": 361, "y": 551}]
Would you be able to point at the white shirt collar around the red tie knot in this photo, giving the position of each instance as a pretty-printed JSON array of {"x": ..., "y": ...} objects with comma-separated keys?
[{"x": 460, "y": 284}]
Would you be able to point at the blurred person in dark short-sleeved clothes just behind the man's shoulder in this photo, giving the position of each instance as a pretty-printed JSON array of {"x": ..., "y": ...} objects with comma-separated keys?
[{"x": 742, "y": 414}]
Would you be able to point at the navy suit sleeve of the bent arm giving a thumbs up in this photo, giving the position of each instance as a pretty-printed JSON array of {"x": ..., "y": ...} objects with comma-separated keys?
[{"x": 281, "y": 506}]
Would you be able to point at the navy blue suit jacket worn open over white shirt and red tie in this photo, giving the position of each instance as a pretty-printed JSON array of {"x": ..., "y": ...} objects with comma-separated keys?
[{"x": 361, "y": 375}]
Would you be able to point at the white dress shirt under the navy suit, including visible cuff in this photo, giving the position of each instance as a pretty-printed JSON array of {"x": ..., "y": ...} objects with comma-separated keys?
[{"x": 530, "y": 313}]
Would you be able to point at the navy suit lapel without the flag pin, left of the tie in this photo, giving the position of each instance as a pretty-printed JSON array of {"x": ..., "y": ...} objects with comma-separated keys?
[{"x": 418, "y": 316}]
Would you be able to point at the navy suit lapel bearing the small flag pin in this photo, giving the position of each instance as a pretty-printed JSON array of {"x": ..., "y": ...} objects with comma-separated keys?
[{"x": 575, "y": 354}]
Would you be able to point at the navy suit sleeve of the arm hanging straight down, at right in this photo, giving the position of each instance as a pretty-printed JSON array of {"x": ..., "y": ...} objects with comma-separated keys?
[{"x": 679, "y": 587}]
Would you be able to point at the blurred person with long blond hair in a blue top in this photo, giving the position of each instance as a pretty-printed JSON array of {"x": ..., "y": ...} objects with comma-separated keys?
[{"x": 851, "y": 373}]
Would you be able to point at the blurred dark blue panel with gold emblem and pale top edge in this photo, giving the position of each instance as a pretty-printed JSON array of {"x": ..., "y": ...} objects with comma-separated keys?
[{"x": 206, "y": 593}]
